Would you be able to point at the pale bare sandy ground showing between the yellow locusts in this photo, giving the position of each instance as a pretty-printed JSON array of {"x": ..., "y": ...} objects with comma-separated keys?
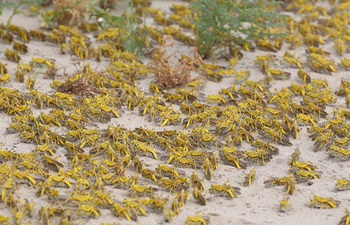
[{"x": 256, "y": 204}]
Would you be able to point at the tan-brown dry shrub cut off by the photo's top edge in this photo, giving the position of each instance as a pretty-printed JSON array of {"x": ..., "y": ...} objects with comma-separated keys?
[{"x": 71, "y": 12}]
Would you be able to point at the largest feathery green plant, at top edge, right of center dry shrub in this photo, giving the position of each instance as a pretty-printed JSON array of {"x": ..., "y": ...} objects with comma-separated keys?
[{"x": 223, "y": 23}]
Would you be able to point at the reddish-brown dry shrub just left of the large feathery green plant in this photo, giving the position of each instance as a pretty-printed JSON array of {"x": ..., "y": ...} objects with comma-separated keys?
[{"x": 177, "y": 75}]
